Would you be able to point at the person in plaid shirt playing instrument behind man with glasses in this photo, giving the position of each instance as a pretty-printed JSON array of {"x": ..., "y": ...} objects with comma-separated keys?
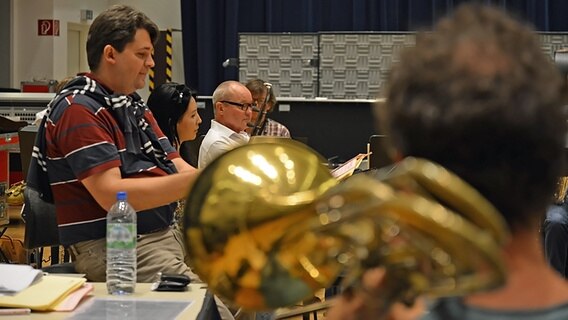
[{"x": 260, "y": 92}]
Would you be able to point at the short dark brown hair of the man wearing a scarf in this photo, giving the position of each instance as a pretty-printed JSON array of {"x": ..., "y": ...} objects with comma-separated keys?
[{"x": 116, "y": 26}]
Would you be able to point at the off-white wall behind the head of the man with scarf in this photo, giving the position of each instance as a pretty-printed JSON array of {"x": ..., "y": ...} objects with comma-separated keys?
[{"x": 44, "y": 58}]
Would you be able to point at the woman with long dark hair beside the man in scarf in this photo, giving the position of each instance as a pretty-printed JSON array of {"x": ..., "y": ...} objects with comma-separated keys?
[{"x": 174, "y": 106}]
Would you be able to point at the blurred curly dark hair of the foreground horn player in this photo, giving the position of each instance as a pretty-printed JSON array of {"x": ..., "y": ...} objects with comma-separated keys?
[{"x": 479, "y": 96}]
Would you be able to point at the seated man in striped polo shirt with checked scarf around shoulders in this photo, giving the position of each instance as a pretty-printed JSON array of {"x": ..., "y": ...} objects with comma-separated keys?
[{"x": 98, "y": 138}]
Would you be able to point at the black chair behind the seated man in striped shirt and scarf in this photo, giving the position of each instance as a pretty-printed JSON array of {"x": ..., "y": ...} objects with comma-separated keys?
[{"x": 40, "y": 219}]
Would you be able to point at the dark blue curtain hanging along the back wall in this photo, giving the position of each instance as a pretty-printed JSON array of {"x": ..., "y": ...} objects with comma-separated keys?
[{"x": 211, "y": 27}]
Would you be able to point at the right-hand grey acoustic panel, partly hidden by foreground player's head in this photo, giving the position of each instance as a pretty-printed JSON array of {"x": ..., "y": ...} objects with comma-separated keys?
[{"x": 356, "y": 65}]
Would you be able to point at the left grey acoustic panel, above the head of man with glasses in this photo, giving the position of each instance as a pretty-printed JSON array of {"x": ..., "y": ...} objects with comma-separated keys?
[{"x": 281, "y": 59}]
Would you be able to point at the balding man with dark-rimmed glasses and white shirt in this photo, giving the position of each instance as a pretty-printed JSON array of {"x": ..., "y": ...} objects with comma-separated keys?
[{"x": 232, "y": 105}]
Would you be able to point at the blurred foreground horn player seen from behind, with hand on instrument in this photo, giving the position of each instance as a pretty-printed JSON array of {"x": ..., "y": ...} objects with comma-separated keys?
[{"x": 478, "y": 96}]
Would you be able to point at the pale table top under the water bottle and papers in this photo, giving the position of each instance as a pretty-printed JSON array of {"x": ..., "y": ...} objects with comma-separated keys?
[{"x": 194, "y": 298}]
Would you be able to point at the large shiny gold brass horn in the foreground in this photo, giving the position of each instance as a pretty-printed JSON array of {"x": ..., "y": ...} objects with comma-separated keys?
[{"x": 267, "y": 225}]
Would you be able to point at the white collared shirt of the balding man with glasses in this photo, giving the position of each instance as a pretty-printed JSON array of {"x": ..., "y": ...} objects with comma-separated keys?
[{"x": 218, "y": 140}]
